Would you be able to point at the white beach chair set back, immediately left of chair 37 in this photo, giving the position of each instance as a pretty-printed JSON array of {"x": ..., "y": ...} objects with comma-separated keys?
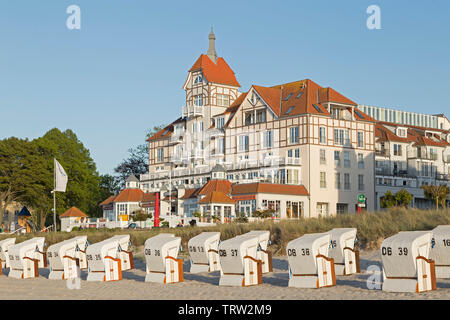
[{"x": 204, "y": 252}]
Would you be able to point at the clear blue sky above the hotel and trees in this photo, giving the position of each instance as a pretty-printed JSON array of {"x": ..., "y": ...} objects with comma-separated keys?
[{"x": 123, "y": 72}]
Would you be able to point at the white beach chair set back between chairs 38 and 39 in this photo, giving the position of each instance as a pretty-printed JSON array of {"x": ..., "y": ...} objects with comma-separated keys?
[{"x": 342, "y": 250}]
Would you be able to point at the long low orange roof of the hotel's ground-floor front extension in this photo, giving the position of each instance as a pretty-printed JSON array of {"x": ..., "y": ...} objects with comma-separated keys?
[{"x": 260, "y": 187}]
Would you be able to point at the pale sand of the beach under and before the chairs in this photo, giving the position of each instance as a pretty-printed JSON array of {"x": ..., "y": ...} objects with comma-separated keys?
[{"x": 205, "y": 286}]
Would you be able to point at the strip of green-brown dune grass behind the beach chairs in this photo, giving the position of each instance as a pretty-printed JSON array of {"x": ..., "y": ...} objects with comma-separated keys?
[{"x": 372, "y": 228}]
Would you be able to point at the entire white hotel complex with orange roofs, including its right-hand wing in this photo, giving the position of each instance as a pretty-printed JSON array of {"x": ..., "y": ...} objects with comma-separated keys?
[{"x": 298, "y": 148}]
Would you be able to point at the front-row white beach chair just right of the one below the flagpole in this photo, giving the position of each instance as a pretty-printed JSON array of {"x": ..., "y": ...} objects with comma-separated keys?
[{"x": 103, "y": 259}]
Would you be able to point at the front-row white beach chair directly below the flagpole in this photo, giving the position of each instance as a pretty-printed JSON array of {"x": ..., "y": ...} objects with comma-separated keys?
[{"x": 63, "y": 260}]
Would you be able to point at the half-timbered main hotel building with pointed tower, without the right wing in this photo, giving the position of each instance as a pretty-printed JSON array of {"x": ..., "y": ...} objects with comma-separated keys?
[{"x": 291, "y": 134}]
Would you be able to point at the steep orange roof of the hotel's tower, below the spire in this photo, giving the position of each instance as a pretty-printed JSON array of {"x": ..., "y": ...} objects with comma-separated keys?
[{"x": 216, "y": 73}]
